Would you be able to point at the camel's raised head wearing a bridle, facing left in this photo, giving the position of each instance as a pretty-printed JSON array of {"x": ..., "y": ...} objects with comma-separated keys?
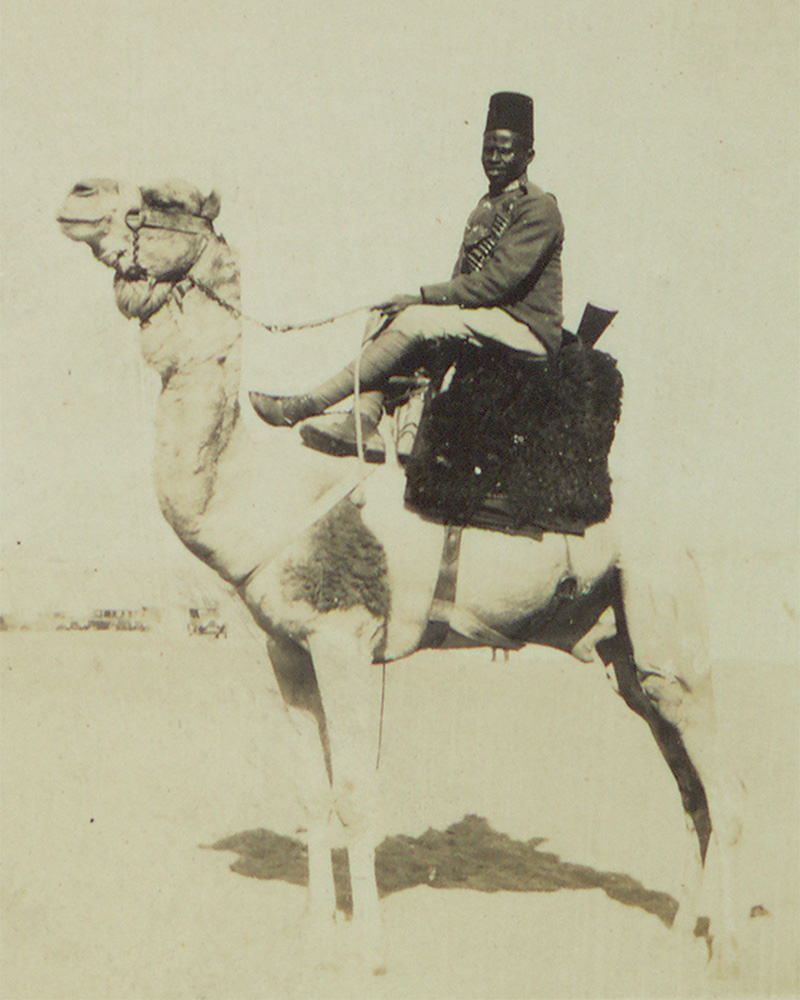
[{"x": 148, "y": 235}]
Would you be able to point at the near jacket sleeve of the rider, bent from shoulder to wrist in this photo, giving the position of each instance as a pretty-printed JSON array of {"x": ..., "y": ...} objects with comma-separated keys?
[{"x": 520, "y": 256}]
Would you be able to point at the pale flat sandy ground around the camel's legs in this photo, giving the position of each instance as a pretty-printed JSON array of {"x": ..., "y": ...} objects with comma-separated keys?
[{"x": 124, "y": 753}]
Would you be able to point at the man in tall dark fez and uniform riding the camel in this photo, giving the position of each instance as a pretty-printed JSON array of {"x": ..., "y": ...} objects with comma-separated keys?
[{"x": 506, "y": 287}]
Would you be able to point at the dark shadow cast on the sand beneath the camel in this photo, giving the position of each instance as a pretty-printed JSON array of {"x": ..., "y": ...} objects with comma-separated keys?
[{"x": 467, "y": 855}]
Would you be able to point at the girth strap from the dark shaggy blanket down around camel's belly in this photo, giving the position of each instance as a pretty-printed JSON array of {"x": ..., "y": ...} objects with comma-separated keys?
[{"x": 448, "y": 624}]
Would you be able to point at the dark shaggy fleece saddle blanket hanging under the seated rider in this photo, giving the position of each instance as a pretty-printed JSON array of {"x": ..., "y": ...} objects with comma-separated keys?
[{"x": 515, "y": 443}]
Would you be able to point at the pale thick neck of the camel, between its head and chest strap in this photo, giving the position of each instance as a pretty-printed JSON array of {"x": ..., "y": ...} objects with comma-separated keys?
[{"x": 227, "y": 498}]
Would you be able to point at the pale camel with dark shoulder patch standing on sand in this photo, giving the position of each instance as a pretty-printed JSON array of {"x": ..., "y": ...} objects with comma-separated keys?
[{"x": 341, "y": 577}]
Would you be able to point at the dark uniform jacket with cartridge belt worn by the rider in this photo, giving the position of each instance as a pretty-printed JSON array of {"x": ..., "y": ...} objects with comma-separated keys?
[{"x": 511, "y": 257}]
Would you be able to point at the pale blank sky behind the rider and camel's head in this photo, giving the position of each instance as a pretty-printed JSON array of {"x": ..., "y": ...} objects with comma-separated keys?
[{"x": 344, "y": 139}]
